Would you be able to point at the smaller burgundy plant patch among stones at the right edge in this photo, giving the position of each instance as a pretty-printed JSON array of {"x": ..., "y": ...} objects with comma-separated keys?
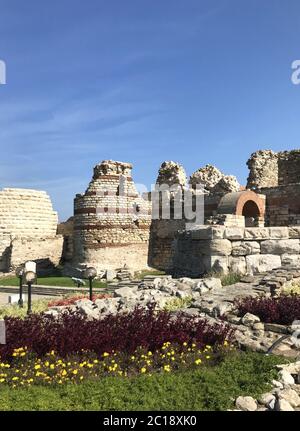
[{"x": 282, "y": 310}]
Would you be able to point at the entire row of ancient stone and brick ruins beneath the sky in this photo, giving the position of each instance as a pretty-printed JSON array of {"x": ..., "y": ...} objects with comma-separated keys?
[{"x": 248, "y": 229}]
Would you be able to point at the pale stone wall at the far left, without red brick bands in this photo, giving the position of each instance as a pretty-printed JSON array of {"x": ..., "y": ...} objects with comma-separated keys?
[{"x": 28, "y": 228}]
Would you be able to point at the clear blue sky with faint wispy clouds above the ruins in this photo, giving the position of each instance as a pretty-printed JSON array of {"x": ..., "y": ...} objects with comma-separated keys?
[{"x": 195, "y": 81}]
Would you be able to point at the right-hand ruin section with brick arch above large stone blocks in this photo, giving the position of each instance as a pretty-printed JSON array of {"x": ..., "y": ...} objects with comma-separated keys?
[{"x": 273, "y": 188}]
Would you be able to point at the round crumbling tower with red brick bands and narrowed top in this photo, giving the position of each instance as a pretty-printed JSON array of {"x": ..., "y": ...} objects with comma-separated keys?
[{"x": 111, "y": 220}]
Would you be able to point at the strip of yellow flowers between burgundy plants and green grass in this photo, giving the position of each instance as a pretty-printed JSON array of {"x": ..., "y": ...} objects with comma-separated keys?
[{"x": 27, "y": 369}]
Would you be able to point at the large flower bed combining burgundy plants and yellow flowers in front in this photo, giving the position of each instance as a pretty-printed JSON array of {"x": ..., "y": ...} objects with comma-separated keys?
[{"x": 42, "y": 349}]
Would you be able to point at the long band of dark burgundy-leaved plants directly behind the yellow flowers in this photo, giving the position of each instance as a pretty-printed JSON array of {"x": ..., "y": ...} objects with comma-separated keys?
[{"x": 72, "y": 333}]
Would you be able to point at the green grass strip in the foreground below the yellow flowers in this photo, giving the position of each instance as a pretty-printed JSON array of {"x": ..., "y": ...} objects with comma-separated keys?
[{"x": 211, "y": 388}]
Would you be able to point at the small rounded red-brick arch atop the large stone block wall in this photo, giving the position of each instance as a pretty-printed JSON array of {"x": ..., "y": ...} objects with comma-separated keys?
[{"x": 237, "y": 203}]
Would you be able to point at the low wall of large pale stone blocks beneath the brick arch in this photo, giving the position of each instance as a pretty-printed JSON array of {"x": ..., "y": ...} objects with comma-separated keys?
[{"x": 237, "y": 249}]
